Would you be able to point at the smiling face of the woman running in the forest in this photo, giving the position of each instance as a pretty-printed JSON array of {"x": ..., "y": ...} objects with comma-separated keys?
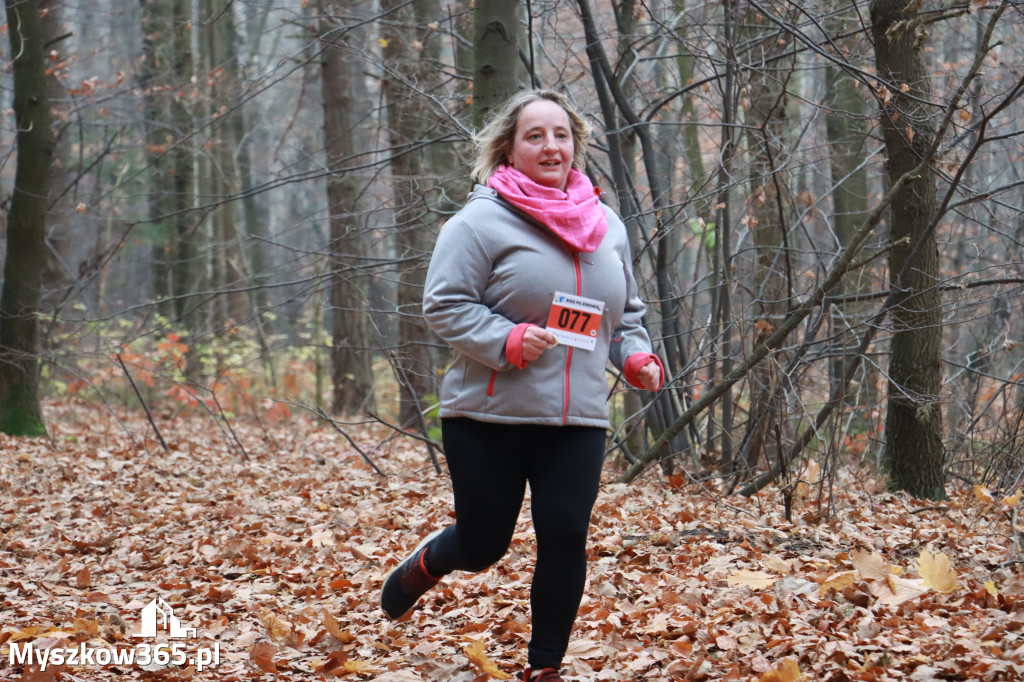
[{"x": 543, "y": 148}]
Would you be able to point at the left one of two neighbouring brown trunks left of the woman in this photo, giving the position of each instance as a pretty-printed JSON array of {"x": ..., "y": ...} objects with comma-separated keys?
[{"x": 345, "y": 111}]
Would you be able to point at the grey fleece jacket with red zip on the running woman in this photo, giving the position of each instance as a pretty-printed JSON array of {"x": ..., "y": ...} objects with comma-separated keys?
[{"x": 495, "y": 268}]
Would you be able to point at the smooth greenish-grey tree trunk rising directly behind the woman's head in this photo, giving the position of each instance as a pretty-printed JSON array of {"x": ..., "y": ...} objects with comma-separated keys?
[{"x": 497, "y": 70}]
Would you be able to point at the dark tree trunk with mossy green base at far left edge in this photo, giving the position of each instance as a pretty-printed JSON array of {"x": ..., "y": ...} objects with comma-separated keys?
[{"x": 26, "y": 260}]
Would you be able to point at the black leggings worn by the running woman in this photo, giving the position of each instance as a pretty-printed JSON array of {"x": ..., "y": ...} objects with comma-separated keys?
[{"x": 491, "y": 465}]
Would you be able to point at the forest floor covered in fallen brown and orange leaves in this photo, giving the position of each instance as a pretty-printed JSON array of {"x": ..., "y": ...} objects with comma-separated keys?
[{"x": 276, "y": 557}]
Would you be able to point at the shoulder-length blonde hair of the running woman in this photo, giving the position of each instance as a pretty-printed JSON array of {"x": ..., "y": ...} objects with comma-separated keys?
[{"x": 495, "y": 141}]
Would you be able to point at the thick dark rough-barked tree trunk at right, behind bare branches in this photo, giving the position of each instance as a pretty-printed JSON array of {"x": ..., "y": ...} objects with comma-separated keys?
[{"x": 914, "y": 454}]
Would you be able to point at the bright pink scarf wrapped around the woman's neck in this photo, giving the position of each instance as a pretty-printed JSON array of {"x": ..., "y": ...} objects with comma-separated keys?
[{"x": 575, "y": 216}]
